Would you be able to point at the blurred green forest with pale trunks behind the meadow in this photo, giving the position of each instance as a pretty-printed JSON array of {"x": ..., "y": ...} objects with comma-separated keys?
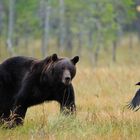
[{"x": 94, "y": 22}]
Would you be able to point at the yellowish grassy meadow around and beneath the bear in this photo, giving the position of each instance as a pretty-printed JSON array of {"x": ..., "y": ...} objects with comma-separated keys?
[{"x": 102, "y": 94}]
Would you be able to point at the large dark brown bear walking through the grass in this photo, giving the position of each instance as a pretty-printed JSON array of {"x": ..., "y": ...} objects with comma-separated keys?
[{"x": 26, "y": 81}]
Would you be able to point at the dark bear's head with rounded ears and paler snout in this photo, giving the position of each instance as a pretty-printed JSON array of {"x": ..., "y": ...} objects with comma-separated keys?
[{"x": 64, "y": 69}]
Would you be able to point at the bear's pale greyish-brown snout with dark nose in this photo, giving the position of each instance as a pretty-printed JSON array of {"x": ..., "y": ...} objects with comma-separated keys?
[{"x": 66, "y": 77}]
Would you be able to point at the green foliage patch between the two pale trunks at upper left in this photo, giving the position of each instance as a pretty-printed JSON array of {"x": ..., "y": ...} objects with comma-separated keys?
[{"x": 27, "y": 16}]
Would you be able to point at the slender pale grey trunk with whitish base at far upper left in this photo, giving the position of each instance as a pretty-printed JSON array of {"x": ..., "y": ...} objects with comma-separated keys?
[{"x": 11, "y": 26}]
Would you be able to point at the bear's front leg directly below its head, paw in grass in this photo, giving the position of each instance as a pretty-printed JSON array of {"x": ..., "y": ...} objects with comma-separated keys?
[{"x": 67, "y": 103}]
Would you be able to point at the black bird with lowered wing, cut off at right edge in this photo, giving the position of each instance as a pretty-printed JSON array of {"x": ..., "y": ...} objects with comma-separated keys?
[{"x": 135, "y": 102}]
